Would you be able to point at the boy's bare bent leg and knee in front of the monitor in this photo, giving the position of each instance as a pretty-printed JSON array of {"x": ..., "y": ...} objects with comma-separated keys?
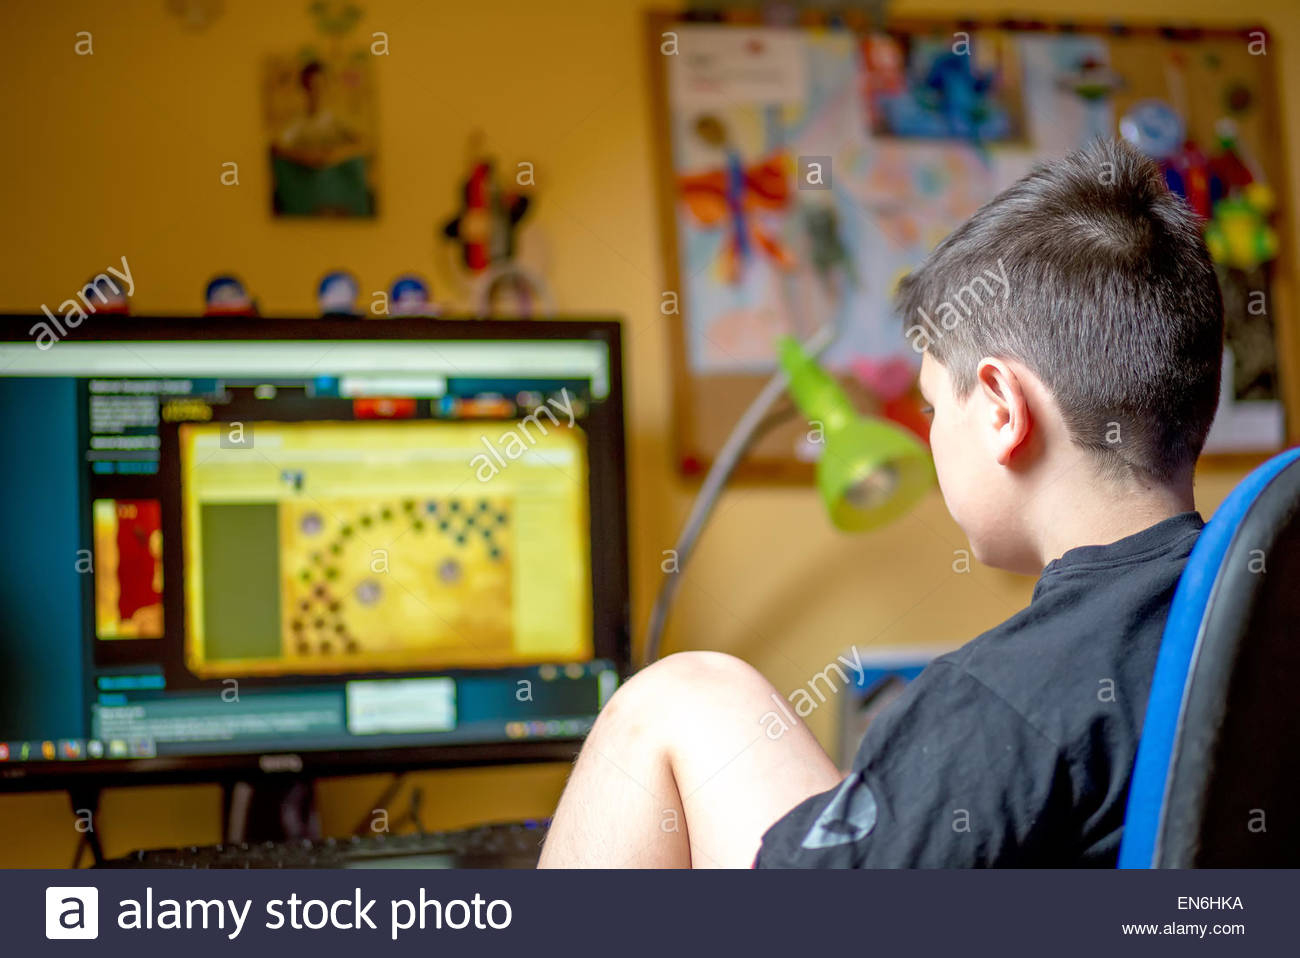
[{"x": 681, "y": 771}]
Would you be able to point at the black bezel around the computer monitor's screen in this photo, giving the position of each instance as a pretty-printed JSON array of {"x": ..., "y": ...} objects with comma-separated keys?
[{"x": 610, "y": 549}]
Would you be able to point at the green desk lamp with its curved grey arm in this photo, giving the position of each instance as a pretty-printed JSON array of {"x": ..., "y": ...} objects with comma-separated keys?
[{"x": 870, "y": 471}]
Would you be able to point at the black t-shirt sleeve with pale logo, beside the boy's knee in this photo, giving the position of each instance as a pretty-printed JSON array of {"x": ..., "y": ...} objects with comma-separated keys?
[{"x": 950, "y": 775}]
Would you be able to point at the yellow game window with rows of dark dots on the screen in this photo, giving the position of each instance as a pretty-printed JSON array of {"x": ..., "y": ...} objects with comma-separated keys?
[{"x": 331, "y": 548}]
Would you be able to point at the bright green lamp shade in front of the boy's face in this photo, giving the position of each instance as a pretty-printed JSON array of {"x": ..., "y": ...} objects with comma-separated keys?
[{"x": 872, "y": 471}]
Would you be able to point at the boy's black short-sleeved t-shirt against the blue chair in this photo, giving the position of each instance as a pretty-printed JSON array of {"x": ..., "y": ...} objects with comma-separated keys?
[{"x": 1016, "y": 749}]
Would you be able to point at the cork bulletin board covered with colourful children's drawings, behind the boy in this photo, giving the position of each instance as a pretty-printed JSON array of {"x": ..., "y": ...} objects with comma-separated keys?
[{"x": 804, "y": 170}]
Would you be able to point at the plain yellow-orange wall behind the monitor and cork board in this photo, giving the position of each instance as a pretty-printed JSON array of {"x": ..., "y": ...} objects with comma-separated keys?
[{"x": 120, "y": 154}]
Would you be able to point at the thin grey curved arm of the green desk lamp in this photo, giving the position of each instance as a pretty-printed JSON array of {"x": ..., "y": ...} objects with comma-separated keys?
[{"x": 742, "y": 437}]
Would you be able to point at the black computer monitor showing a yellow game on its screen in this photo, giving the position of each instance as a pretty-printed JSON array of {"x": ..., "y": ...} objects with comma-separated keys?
[{"x": 315, "y": 547}]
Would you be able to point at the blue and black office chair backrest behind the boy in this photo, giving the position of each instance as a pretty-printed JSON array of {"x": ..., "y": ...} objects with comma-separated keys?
[{"x": 1217, "y": 778}]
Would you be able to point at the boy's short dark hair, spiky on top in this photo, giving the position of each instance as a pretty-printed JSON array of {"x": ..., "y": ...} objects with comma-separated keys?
[{"x": 1111, "y": 298}]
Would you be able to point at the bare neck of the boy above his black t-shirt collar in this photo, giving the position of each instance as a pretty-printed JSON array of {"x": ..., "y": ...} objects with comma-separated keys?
[{"x": 1094, "y": 517}]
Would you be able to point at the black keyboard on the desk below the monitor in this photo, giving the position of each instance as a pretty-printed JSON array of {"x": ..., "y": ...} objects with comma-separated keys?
[{"x": 501, "y": 846}]
